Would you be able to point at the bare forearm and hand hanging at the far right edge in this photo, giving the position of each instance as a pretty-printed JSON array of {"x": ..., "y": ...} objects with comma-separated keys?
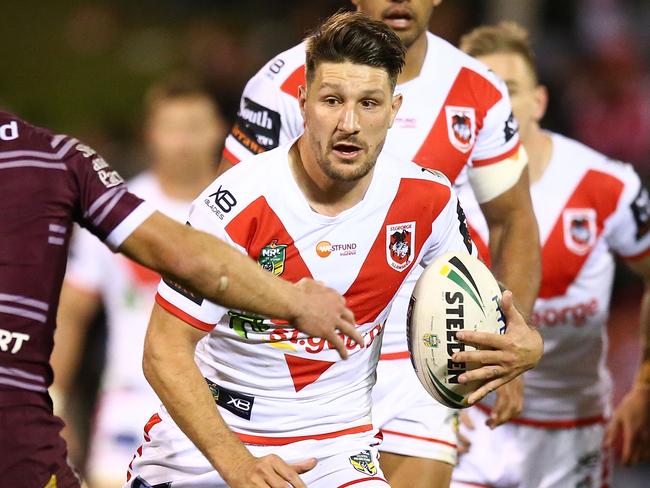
[{"x": 631, "y": 419}]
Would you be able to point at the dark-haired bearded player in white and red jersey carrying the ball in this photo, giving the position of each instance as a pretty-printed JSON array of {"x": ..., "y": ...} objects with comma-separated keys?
[{"x": 328, "y": 192}]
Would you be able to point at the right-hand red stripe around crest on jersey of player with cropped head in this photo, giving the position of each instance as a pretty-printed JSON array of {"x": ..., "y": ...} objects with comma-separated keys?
[{"x": 437, "y": 151}]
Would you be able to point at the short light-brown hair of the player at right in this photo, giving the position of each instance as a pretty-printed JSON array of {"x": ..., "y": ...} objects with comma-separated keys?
[{"x": 507, "y": 37}]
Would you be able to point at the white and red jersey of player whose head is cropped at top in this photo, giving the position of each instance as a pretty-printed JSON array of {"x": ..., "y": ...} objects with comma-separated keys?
[{"x": 455, "y": 114}]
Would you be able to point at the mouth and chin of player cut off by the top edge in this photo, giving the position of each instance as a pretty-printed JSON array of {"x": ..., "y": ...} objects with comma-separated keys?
[{"x": 408, "y": 18}]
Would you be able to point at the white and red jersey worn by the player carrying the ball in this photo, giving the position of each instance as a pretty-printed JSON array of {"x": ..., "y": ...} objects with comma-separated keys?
[{"x": 275, "y": 385}]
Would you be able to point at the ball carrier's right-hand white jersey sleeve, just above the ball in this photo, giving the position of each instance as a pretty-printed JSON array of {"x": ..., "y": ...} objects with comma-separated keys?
[{"x": 449, "y": 232}]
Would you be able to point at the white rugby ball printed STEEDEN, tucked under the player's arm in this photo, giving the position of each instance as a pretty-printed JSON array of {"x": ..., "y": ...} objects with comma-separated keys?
[{"x": 455, "y": 292}]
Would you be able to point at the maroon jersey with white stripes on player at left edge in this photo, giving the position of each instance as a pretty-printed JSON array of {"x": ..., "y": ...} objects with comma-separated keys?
[{"x": 47, "y": 182}]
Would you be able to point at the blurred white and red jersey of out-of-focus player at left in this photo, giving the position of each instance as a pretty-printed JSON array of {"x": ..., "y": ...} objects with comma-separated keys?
[{"x": 126, "y": 288}]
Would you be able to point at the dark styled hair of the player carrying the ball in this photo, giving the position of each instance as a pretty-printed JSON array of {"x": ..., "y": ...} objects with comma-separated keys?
[{"x": 356, "y": 38}]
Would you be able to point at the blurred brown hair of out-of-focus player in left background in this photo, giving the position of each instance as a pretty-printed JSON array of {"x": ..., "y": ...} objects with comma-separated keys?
[{"x": 175, "y": 86}]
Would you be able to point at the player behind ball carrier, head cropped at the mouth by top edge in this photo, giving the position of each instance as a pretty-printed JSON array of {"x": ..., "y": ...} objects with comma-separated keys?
[{"x": 455, "y": 118}]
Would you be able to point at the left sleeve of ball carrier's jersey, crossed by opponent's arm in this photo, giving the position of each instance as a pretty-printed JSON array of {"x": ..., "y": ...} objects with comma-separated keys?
[{"x": 182, "y": 303}]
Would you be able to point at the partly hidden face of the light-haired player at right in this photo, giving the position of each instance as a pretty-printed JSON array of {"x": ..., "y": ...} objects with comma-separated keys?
[{"x": 527, "y": 97}]
